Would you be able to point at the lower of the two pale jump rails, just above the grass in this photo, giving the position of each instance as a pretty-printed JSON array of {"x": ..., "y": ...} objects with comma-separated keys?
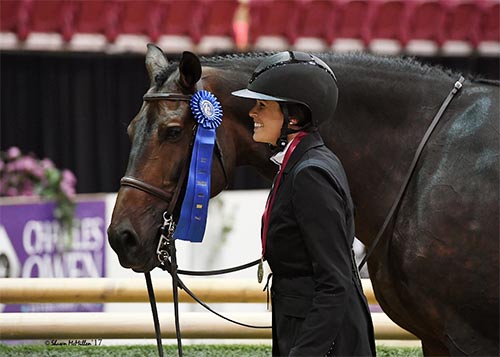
[{"x": 201, "y": 325}]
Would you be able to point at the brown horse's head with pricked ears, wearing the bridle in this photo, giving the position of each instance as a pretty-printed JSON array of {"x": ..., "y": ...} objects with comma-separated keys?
[{"x": 161, "y": 135}]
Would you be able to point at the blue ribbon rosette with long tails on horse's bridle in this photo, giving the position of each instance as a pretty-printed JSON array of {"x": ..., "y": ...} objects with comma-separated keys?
[{"x": 207, "y": 111}]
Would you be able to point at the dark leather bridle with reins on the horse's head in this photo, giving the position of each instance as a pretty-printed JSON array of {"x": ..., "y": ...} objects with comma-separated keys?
[{"x": 166, "y": 251}]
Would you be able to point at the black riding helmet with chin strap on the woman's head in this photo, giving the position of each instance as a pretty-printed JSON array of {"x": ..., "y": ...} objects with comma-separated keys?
[{"x": 294, "y": 77}]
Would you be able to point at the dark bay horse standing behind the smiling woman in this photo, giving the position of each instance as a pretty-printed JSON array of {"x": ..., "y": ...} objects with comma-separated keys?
[{"x": 436, "y": 270}]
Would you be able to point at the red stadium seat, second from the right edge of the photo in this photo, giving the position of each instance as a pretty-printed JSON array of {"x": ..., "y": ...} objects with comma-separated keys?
[{"x": 461, "y": 30}]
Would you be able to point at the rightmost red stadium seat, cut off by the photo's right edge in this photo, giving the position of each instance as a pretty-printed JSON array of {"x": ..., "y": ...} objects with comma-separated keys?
[{"x": 489, "y": 30}]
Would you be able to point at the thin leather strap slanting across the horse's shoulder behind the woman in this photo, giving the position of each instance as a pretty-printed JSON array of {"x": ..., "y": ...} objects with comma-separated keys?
[{"x": 456, "y": 87}]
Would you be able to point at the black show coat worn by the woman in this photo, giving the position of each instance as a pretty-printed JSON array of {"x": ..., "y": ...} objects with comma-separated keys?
[{"x": 317, "y": 300}]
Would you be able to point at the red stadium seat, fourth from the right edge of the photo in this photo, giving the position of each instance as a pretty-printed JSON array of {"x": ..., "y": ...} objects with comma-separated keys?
[{"x": 387, "y": 26}]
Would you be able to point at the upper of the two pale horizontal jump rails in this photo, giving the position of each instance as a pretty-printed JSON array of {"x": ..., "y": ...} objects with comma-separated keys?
[{"x": 104, "y": 290}]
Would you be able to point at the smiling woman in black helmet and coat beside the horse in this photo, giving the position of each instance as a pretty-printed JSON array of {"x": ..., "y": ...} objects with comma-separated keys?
[{"x": 319, "y": 308}]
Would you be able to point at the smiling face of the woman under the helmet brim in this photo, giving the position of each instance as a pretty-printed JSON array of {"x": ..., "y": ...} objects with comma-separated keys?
[{"x": 268, "y": 119}]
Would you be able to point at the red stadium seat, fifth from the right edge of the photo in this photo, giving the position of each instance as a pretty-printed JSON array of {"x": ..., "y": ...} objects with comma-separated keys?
[{"x": 353, "y": 25}]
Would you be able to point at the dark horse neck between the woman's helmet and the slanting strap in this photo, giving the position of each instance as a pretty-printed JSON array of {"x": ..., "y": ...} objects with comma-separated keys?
[{"x": 380, "y": 120}]
